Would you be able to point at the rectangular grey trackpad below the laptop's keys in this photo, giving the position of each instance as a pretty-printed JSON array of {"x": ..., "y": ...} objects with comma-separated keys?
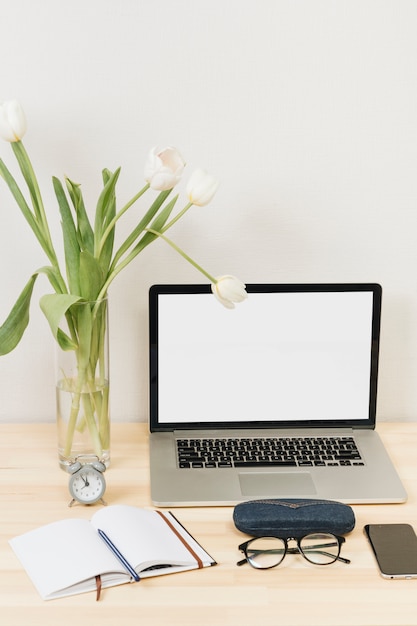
[{"x": 270, "y": 484}]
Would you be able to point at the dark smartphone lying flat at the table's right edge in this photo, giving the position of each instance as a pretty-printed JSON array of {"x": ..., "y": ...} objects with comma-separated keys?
[{"x": 395, "y": 549}]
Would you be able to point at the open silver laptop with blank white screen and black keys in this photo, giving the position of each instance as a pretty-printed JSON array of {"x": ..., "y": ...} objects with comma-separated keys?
[{"x": 273, "y": 399}]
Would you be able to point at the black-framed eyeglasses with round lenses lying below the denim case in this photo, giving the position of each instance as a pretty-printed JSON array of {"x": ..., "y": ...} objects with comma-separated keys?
[{"x": 317, "y": 548}]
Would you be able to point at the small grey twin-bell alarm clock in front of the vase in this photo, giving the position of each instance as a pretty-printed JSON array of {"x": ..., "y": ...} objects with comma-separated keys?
[{"x": 87, "y": 484}]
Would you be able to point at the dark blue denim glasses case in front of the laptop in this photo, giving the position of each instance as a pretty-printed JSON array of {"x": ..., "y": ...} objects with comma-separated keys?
[{"x": 293, "y": 517}]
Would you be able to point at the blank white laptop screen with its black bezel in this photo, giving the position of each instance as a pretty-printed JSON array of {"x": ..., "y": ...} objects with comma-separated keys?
[{"x": 288, "y": 356}]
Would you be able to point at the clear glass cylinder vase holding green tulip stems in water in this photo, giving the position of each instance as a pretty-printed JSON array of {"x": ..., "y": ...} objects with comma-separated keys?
[{"x": 82, "y": 386}]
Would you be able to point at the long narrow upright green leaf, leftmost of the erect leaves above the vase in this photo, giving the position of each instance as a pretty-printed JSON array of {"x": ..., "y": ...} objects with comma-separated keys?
[{"x": 71, "y": 246}]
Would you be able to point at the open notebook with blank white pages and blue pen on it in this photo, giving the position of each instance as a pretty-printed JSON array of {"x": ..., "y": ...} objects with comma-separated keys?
[{"x": 66, "y": 557}]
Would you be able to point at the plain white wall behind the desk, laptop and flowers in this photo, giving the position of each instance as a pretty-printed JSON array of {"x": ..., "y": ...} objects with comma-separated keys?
[{"x": 305, "y": 109}]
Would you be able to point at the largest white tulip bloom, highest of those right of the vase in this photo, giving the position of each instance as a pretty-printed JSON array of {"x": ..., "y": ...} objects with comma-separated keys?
[{"x": 164, "y": 168}]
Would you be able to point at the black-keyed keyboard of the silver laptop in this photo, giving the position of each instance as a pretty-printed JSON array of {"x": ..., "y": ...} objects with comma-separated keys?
[{"x": 267, "y": 452}]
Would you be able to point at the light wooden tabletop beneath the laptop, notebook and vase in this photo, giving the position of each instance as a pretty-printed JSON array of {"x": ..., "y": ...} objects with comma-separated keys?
[{"x": 33, "y": 492}]
